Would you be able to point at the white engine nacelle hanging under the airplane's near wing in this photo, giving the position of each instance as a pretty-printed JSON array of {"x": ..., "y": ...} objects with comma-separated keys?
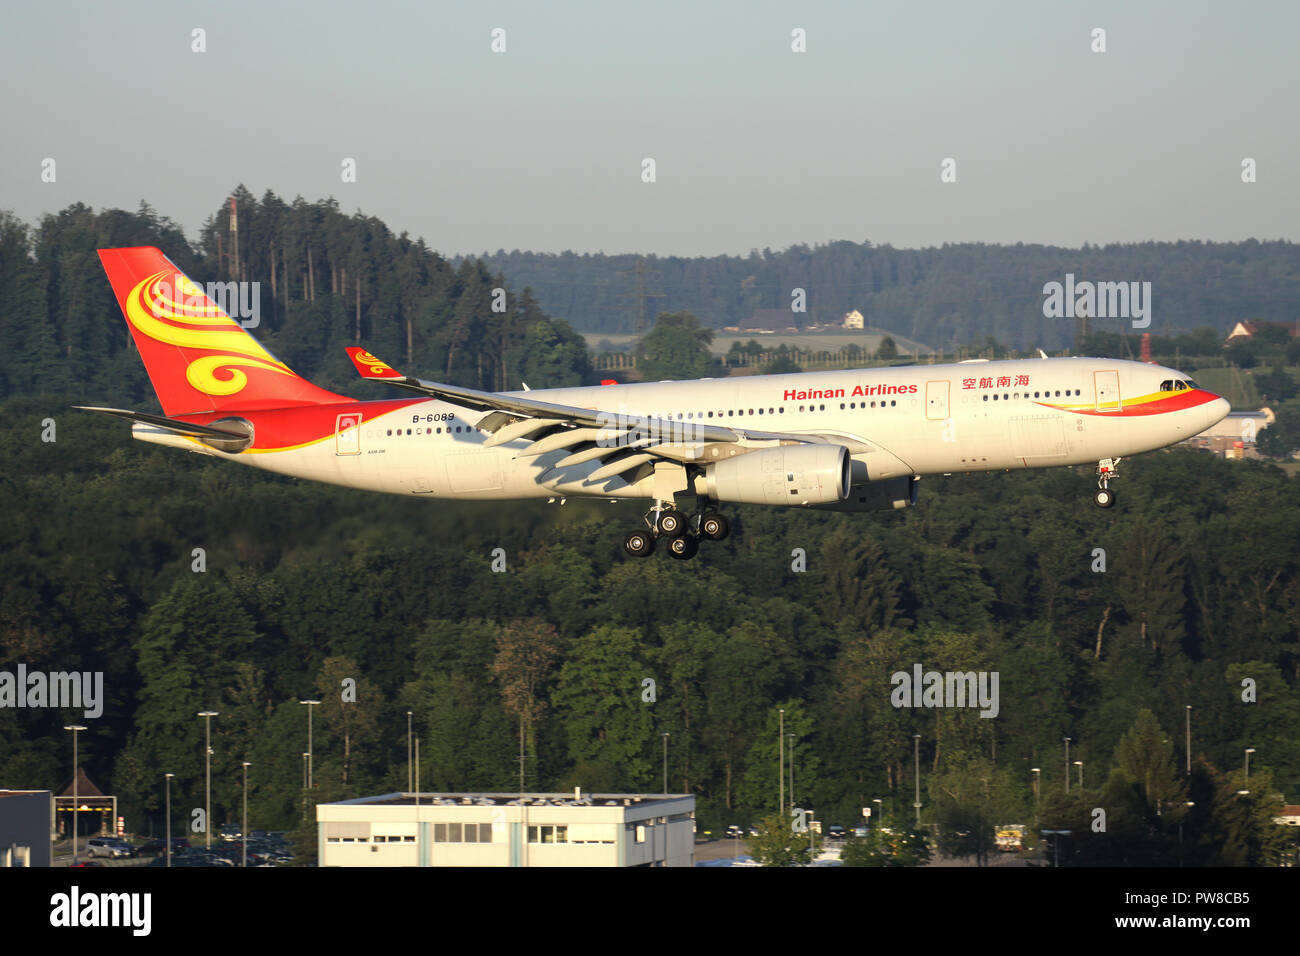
[{"x": 785, "y": 475}]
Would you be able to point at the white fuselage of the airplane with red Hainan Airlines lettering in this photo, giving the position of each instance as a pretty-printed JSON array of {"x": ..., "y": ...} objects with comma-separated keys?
[{"x": 905, "y": 421}]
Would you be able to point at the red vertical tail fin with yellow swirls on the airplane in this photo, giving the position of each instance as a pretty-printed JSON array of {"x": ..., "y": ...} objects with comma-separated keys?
[{"x": 198, "y": 358}]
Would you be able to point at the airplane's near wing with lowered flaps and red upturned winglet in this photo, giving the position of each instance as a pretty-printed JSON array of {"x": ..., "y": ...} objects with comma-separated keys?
[{"x": 622, "y": 443}]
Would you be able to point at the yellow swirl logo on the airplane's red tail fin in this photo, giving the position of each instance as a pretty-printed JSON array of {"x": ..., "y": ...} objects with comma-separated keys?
[{"x": 179, "y": 313}]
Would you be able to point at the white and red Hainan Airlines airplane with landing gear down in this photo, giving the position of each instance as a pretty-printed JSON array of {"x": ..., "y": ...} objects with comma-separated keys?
[{"x": 853, "y": 440}]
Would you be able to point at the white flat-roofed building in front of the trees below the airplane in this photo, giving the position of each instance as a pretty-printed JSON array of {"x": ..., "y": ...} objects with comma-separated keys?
[{"x": 509, "y": 830}]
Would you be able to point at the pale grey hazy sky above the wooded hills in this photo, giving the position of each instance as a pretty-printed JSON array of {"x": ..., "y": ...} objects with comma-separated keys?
[{"x": 541, "y": 148}]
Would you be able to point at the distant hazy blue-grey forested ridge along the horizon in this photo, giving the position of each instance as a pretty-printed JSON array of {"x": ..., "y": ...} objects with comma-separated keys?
[{"x": 946, "y": 297}]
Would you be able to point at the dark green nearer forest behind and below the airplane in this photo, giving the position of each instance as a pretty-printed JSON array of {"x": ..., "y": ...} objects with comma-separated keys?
[{"x": 197, "y": 585}]
